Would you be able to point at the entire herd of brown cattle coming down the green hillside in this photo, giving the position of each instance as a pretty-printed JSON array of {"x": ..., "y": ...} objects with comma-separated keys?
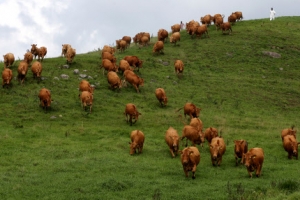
[{"x": 190, "y": 156}]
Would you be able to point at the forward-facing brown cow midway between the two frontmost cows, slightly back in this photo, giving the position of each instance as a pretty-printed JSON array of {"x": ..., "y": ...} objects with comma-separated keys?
[{"x": 217, "y": 150}]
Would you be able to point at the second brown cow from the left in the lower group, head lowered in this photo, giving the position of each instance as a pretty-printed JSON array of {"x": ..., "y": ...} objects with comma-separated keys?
[{"x": 172, "y": 140}]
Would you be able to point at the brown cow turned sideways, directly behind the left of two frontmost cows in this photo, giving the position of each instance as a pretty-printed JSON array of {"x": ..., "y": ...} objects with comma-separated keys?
[{"x": 193, "y": 134}]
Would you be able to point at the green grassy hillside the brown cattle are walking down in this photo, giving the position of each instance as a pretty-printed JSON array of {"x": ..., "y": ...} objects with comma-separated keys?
[{"x": 67, "y": 153}]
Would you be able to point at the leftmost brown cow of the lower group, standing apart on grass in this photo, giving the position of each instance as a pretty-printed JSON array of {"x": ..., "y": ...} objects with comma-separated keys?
[{"x": 137, "y": 138}]
